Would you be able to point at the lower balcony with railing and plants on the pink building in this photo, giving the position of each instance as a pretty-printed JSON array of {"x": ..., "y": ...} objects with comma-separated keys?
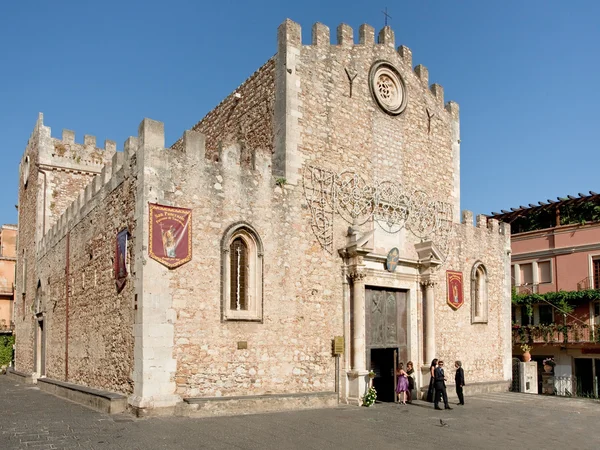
[{"x": 555, "y": 334}]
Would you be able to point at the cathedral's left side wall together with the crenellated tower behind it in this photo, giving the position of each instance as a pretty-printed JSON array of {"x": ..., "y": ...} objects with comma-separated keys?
[{"x": 81, "y": 217}]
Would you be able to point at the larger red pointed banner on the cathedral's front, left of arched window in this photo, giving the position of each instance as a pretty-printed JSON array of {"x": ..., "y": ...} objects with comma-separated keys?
[{"x": 170, "y": 235}]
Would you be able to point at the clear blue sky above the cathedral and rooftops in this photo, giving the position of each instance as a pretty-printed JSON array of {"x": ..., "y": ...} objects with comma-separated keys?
[{"x": 525, "y": 74}]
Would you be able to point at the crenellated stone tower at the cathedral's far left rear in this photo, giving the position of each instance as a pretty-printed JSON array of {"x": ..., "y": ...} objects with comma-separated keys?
[{"x": 56, "y": 171}]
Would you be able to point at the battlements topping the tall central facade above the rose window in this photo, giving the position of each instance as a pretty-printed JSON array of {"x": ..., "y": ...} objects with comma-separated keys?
[{"x": 290, "y": 35}]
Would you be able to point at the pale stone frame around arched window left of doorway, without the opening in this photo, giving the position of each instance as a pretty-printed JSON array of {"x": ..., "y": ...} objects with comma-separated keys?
[{"x": 254, "y": 244}]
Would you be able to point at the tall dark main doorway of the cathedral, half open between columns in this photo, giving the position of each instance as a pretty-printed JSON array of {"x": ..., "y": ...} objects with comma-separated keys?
[{"x": 386, "y": 335}]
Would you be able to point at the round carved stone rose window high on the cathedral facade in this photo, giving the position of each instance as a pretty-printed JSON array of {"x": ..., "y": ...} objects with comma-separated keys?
[{"x": 387, "y": 87}]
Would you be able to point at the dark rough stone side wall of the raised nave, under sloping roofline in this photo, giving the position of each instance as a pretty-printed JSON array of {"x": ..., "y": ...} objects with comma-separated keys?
[{"x": 245, "y": 116}]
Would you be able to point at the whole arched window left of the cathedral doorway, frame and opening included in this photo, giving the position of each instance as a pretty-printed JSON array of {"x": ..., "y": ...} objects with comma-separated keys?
[{"x": 242, "y": 273}]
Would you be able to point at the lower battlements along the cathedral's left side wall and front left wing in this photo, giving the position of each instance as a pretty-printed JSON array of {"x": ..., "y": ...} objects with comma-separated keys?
[{"x": 150, "y": 139}]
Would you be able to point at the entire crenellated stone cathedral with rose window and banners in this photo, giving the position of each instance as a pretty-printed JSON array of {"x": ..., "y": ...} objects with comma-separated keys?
[{"x": 303, "y": 234}]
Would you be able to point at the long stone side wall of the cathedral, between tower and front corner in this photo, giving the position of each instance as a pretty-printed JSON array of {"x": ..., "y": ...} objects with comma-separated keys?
[{"x": 88, "y": 324}]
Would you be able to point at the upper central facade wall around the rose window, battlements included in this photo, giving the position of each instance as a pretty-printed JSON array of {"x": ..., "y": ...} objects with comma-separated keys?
[{"x": 339, "y": 125}]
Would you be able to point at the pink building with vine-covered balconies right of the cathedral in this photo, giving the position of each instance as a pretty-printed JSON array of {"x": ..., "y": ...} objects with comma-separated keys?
[{"x": 556, "y": 290}]
